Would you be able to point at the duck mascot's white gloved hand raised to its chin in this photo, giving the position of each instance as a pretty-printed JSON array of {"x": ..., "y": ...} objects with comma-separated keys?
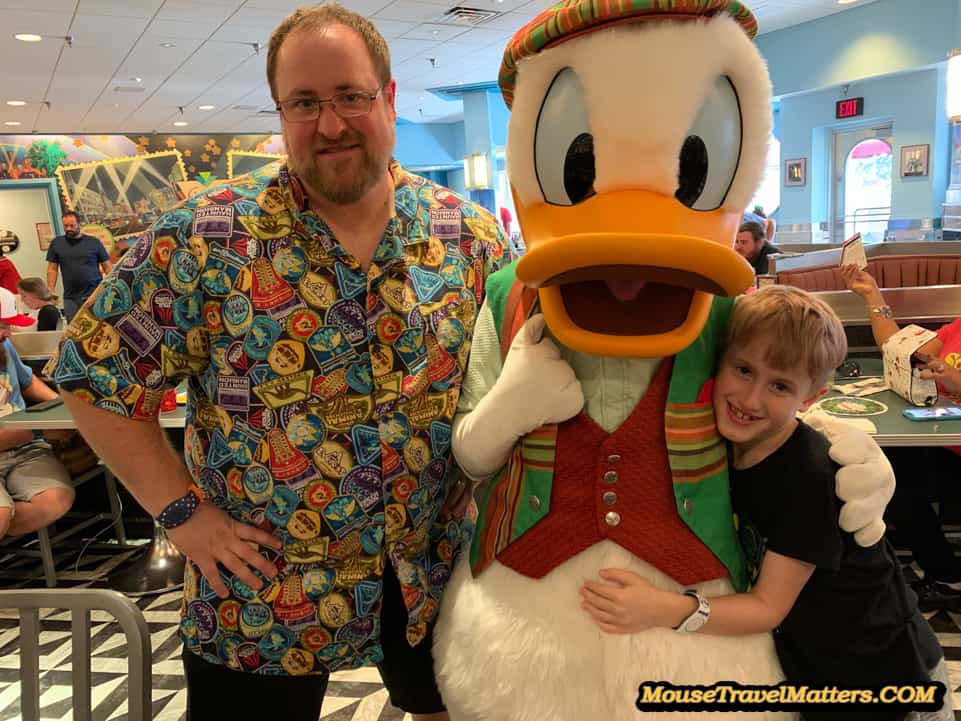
[{"x": 535, "y": 387}]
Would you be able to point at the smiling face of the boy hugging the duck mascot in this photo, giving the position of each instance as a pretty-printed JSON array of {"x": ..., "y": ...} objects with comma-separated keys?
[{"x": 755, "y": 404}]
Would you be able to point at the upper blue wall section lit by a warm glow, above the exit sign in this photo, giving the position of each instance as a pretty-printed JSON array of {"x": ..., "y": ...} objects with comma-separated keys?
[{"x": 884, "y": 37}]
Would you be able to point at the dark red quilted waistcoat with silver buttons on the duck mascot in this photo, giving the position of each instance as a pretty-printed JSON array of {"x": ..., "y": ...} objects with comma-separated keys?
[{"x": 616, "y": 486}]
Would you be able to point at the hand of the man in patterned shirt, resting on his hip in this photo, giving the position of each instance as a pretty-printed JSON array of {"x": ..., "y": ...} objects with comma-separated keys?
[{"x": 211, "y": 537}]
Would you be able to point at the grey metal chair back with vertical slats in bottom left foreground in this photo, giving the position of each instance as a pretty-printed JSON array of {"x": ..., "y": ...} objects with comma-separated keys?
[{"x": 80, "y": 603}]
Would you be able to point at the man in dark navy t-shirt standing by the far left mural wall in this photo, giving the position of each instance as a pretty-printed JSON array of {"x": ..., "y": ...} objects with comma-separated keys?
[{"x": 83, "y": 261}]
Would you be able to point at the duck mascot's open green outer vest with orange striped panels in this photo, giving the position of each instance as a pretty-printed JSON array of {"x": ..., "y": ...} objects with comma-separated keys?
[{"x": 697, "y": 456}]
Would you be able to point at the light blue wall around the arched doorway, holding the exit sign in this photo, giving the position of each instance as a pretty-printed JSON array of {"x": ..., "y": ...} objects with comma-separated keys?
[{"x": 914, "y": 105}]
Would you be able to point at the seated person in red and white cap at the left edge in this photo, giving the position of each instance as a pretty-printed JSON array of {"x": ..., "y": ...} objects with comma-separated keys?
[{"x": 35, "y": 488}]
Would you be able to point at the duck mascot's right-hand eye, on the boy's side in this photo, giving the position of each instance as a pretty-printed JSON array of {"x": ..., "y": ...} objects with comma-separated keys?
[{"x": 711, "y": 152}]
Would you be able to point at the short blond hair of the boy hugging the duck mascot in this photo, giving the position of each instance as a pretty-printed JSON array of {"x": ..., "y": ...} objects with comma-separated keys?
[{"x": 801, "y": 331}]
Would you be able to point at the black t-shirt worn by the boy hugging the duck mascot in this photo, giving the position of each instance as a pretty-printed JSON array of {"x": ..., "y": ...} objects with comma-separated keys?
[{"x": 855, "y": 622}]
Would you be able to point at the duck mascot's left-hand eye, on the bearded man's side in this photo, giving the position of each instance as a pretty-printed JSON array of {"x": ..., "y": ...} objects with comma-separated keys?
[{"x": 563, "y": 144}]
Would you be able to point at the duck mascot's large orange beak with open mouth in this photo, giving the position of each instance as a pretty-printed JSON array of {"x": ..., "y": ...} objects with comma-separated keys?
[{"x": 629, "y": 273}]
